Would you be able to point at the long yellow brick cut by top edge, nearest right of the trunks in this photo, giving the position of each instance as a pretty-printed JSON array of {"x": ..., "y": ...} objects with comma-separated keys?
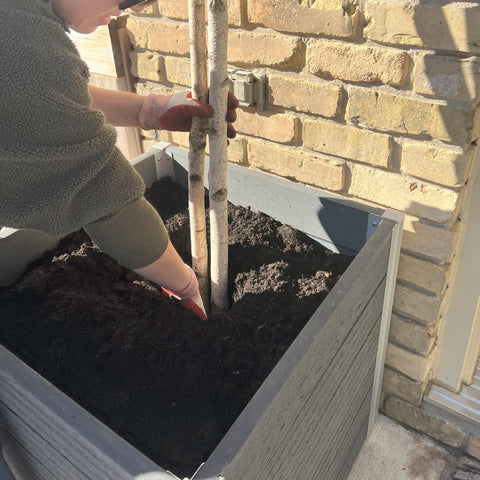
[{"x": 319, "y": 17}]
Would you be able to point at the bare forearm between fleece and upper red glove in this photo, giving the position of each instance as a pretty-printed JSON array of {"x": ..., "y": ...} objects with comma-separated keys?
[{"x": 120, "y": 108}]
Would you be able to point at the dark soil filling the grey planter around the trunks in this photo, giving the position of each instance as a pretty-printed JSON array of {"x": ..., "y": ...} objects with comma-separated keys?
[{"x": 168, "y": 383}]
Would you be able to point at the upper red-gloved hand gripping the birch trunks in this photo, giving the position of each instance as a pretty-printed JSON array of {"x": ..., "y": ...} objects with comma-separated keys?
[{"x": 175, "y": 112}]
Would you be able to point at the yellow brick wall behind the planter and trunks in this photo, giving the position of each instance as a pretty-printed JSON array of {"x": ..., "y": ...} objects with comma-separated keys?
[{"x": 372, "y": 99}]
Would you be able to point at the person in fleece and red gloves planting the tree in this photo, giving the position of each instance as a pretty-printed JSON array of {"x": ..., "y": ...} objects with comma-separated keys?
[{"x": 59, "y": 167}]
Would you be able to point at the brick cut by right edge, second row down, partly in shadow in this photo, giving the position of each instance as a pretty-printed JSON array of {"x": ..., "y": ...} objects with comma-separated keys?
[{"x": 447, "y": 77}]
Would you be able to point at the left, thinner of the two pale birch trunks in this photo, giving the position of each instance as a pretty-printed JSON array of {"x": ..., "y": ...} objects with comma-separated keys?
[{"x": 197, "y": 142}]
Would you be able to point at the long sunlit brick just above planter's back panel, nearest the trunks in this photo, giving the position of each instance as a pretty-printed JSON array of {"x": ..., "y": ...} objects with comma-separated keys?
[{"x": 297, "y": 164}]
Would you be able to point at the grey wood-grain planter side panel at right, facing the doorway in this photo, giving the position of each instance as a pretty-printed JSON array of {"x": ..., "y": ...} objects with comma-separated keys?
[{"x": 310, "y": 417}]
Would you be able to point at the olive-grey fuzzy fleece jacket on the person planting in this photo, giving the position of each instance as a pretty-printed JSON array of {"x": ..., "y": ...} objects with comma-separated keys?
[{"x": 59, "y": 166}]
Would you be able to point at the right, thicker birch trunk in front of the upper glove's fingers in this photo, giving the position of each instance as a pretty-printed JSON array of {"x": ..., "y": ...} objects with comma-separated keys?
[{"x": 217, "y": 175}]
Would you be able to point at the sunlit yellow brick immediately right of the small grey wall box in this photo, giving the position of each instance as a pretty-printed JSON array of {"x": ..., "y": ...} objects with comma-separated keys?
[{"x": 310, "y": 96}]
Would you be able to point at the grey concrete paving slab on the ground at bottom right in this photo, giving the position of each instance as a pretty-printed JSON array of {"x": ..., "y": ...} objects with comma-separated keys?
[{"x": 394, "y": 453}]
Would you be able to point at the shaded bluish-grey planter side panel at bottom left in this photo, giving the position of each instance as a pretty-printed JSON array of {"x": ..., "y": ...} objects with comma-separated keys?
[{"x": 50, "y": 437}]
